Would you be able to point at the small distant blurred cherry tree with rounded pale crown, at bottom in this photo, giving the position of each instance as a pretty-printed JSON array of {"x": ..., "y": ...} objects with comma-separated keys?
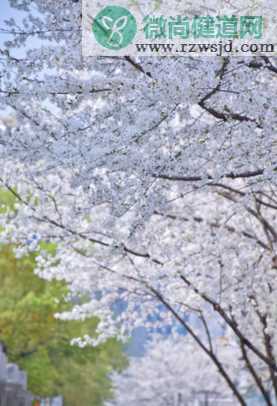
[{"x": 165, "y": 377}]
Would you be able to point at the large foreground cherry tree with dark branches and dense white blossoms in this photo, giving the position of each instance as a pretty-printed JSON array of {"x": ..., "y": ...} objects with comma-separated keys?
[{"x": 156, "y": 177}]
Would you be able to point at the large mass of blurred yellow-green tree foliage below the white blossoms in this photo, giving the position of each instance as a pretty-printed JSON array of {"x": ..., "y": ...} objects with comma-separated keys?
[{"x": 40, "y": 344}]
